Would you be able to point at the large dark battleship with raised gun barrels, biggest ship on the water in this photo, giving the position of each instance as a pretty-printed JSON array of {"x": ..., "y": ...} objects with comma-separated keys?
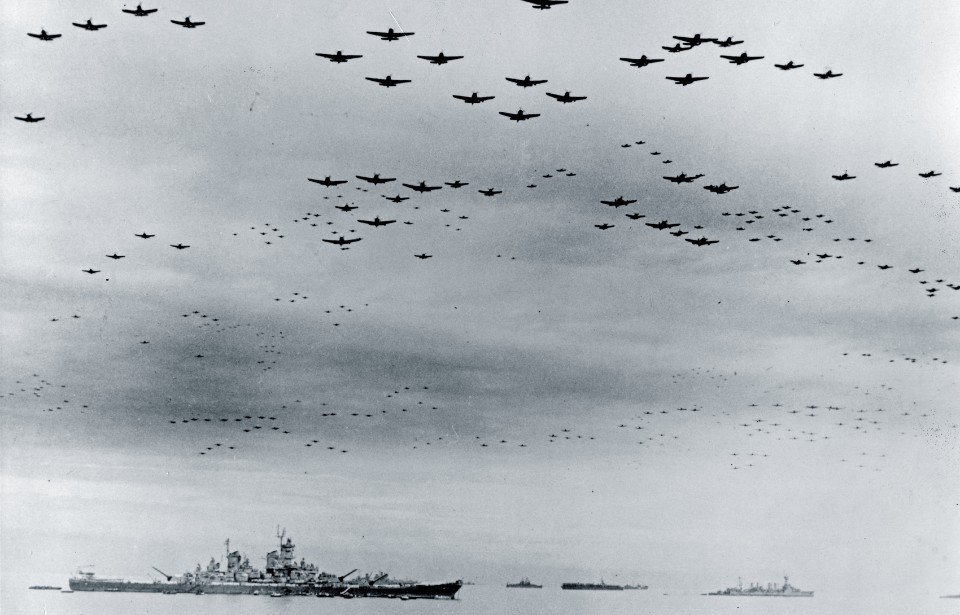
[{"x": 282, "y": 576}]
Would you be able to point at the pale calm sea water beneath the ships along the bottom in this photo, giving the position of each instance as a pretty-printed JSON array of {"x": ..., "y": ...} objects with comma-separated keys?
[{"x": 473, "y": 600}]
